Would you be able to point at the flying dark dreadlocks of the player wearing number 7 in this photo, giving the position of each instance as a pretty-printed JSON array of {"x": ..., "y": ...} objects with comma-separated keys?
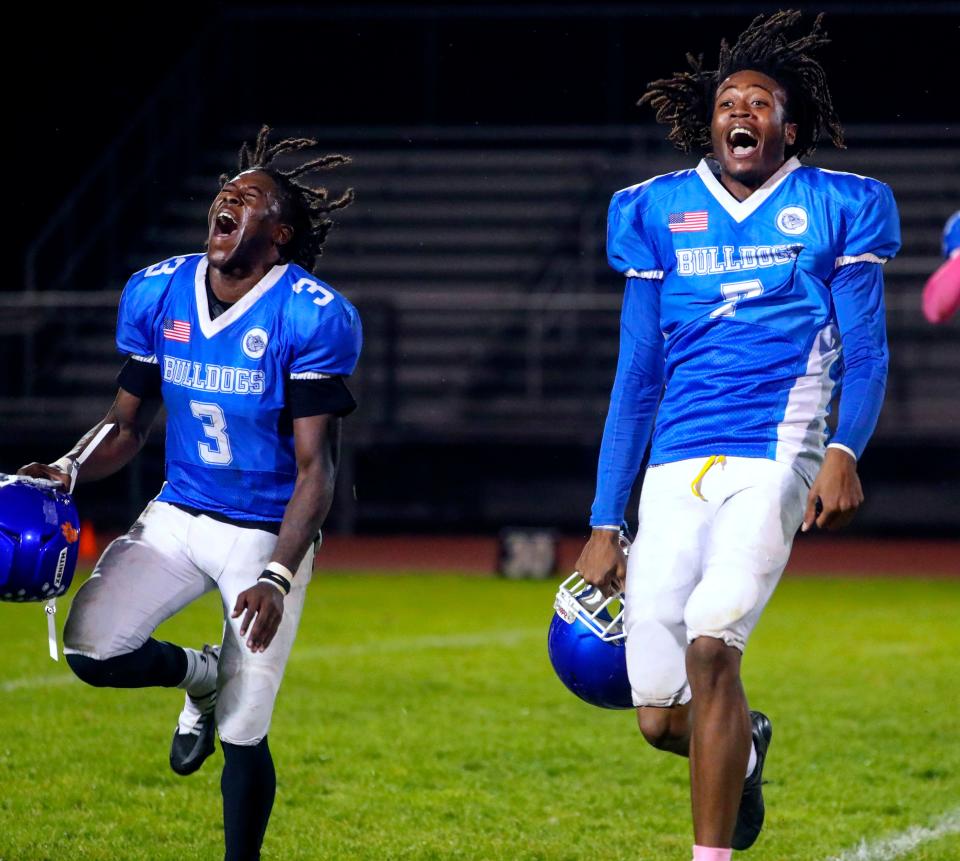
[{"x": 685, "y": 101}]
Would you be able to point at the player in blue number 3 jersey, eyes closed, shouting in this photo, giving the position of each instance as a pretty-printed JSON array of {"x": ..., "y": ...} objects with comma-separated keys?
[{"x": 248, "y": 351}]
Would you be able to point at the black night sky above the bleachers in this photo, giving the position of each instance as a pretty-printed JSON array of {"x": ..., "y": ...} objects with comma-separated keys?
[{"x": 76, "y": 76}]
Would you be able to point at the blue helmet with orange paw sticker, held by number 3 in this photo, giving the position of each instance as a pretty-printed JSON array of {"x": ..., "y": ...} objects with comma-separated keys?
[{"x": 39, "y": 538}]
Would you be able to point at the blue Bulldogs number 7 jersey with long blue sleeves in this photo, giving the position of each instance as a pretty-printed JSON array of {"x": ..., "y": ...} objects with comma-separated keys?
[{"x": 749, "y": 298}]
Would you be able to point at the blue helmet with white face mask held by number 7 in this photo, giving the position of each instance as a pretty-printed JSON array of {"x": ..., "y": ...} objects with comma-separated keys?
[{"x": 586, "y": 644}]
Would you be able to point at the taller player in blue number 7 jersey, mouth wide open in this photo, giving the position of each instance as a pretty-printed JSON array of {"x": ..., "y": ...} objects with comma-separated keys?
[{"x": 754, "y": 292}]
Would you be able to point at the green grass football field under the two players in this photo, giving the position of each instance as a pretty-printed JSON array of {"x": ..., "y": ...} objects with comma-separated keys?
[{"x": 420, "y": 719}]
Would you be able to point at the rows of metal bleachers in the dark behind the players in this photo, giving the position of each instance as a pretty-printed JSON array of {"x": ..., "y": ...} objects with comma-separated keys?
[{"x": 476, "y": 258}]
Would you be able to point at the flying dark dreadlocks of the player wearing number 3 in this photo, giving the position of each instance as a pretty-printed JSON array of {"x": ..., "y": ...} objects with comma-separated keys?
[{"x": 304, "y": 207}]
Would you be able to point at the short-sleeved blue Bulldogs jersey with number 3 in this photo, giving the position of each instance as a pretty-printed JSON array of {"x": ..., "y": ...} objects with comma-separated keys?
[{"x": 229, "y": 443}]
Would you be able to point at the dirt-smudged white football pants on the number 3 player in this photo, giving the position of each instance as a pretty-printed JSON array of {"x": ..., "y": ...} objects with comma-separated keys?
[{"x": 168, "y": 559}]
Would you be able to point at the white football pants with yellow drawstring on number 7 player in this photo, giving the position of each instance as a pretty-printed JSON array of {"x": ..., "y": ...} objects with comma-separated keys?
[{"x": 704, "y": 567}]
